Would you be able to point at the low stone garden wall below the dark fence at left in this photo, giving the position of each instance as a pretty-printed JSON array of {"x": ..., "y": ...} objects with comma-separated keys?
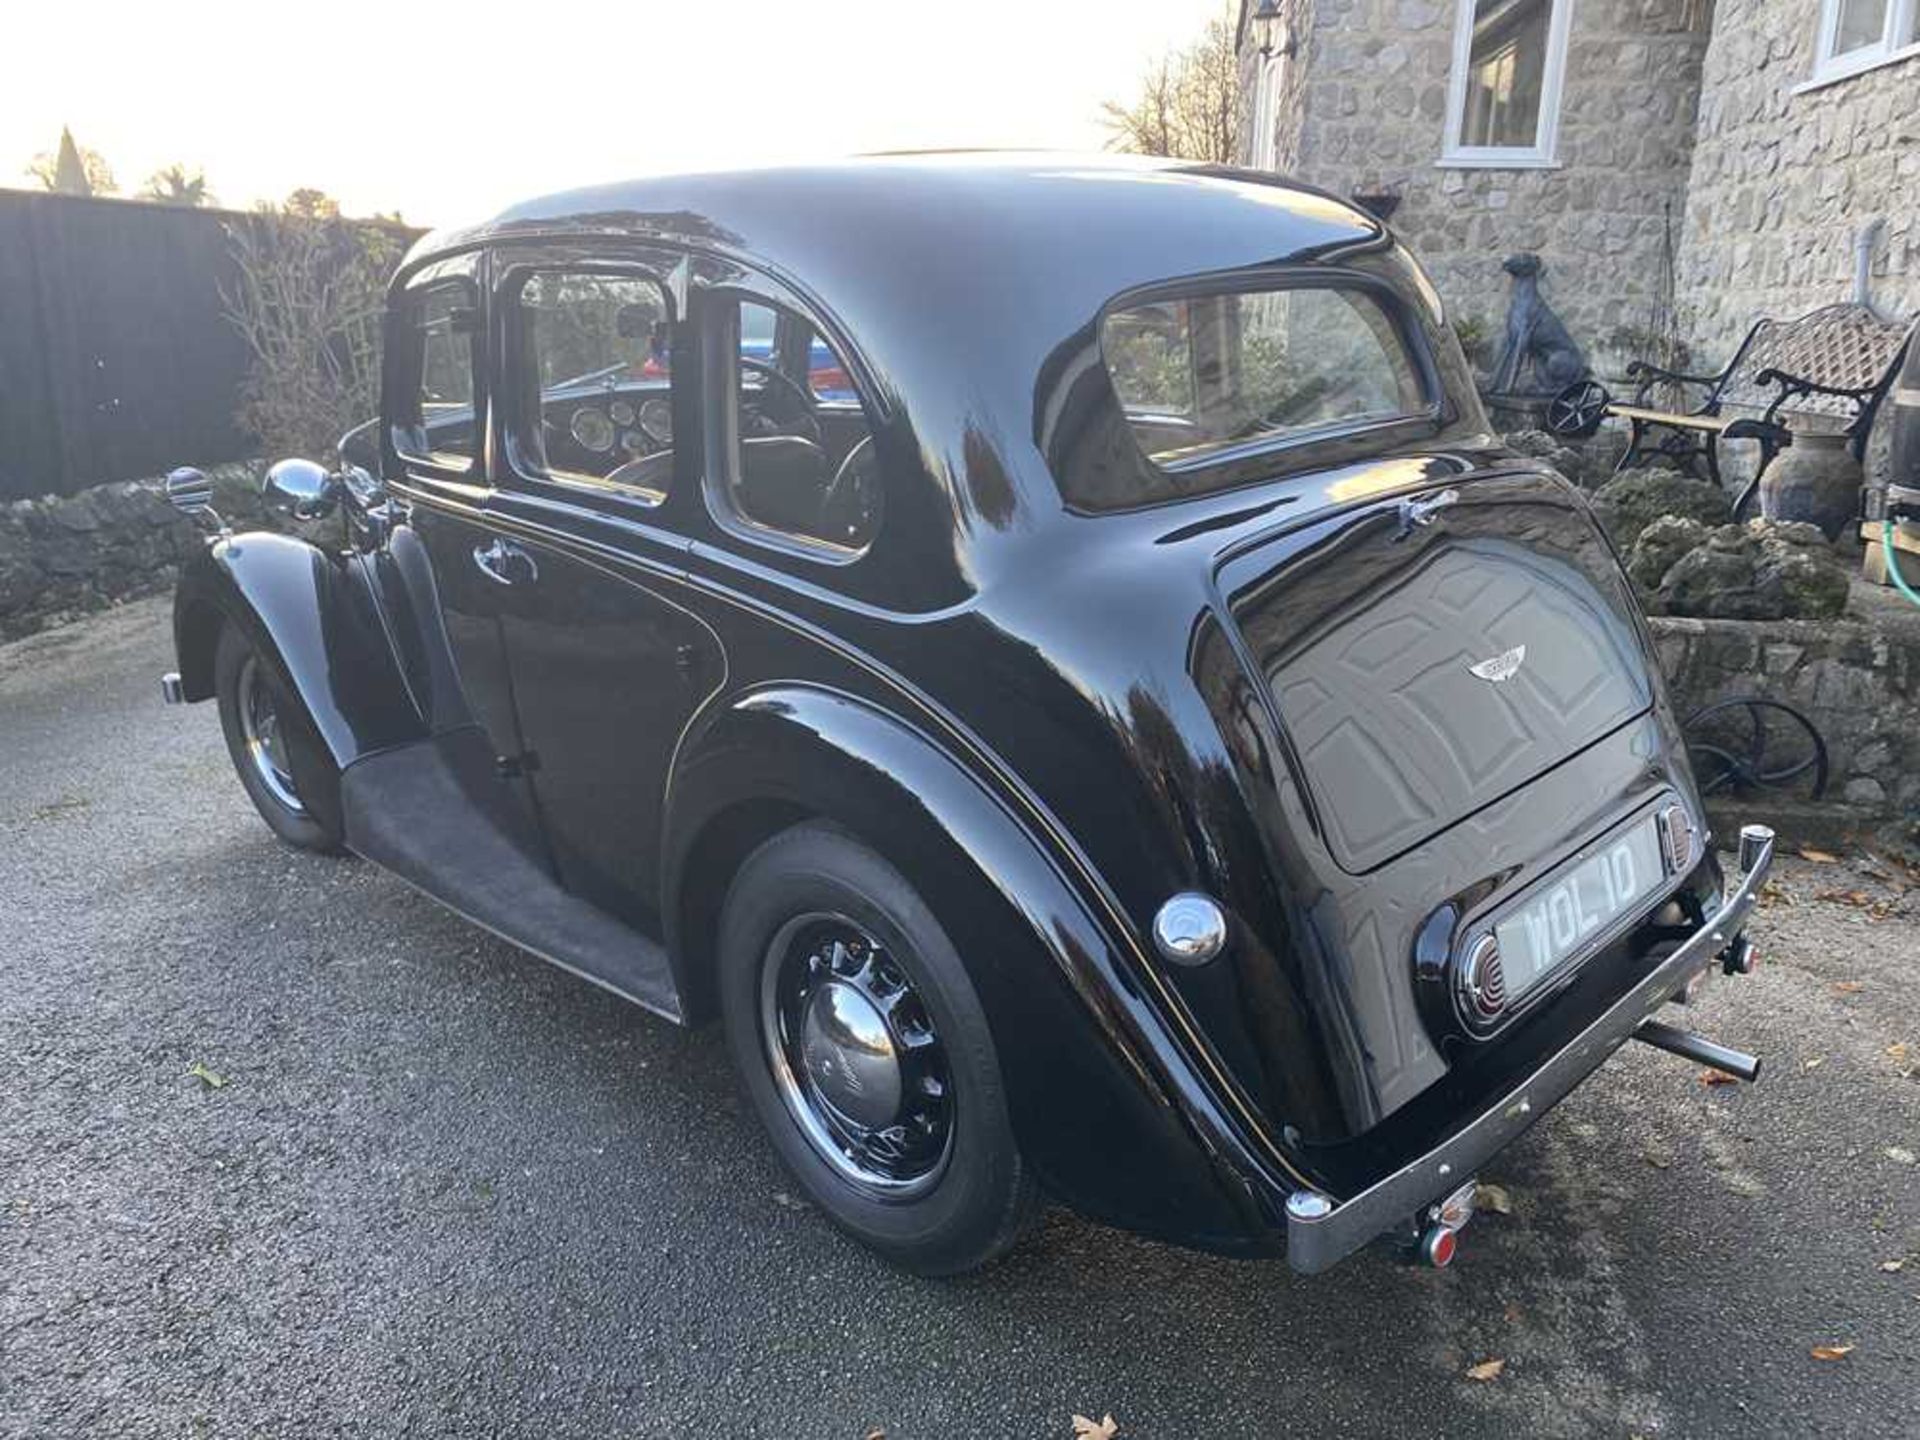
[{"x": 64, "y": 556}]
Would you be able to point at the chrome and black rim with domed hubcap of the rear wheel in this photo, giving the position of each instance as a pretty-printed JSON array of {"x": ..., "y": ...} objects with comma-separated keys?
[{"x": 855, "y": 1057}]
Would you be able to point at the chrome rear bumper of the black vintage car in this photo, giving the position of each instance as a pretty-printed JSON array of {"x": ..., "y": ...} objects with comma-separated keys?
[{"x": 1322, "y": 1232}]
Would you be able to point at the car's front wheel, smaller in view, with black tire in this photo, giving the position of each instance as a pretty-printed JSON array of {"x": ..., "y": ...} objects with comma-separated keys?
[{"x": 302, "y": 802}]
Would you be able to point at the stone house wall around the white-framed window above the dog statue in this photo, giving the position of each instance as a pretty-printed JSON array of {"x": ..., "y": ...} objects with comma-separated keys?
[{"x": 1364, "y": 112}]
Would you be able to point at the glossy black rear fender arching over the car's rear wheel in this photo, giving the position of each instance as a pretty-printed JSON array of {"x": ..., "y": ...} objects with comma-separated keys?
[{"x": 1103, "y": 1101}]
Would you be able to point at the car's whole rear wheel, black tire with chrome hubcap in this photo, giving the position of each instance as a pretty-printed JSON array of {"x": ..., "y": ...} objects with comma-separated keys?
[{"x": 867, "y": 1053}]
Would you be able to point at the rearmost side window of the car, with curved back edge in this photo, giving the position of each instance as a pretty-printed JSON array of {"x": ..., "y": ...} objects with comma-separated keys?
[{"x": 796, "y": 462}]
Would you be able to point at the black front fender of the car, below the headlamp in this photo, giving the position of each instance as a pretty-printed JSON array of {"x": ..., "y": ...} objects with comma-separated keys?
[{"x": 316, "y": 619}]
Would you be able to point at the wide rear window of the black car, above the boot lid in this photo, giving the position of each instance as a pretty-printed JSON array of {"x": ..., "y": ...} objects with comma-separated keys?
[{"x": 1207, "y": 375}]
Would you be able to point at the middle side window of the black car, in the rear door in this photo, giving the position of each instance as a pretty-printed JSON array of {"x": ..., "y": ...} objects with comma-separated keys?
[{"x": 592, "y": 368}]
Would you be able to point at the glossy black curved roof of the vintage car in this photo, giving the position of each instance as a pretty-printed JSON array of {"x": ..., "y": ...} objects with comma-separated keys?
[{"x": 1116, "y": 222}]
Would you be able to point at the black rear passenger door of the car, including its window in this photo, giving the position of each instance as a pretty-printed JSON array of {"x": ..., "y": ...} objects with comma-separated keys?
[{"x": 606, "y": 660}]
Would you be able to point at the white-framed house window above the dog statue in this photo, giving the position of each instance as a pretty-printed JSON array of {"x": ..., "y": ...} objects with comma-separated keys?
[{"x": 1510, "y": 59}]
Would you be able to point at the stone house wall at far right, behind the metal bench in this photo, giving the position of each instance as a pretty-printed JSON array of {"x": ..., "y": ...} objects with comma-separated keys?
[{"x": 1783, "y": 181}]
